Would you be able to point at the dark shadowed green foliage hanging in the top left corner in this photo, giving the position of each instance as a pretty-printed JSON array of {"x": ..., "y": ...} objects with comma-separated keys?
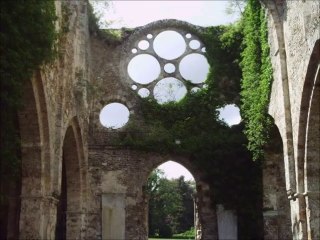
[{"x": 27, "y": 40}]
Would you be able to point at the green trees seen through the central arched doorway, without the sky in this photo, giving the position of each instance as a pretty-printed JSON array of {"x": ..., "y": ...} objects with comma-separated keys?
[{"x": 170, "y": 205}]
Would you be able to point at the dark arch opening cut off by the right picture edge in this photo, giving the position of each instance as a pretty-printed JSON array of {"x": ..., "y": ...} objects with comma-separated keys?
[{"x": 309, "y": 142}]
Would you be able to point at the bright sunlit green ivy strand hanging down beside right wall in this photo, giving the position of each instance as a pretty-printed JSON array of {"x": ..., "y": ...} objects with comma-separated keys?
[{"x": 257, "y": 77}]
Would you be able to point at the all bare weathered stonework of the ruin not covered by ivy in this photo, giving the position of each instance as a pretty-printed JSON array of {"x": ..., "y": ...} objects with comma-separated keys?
[{"x": 64, "y": 161}]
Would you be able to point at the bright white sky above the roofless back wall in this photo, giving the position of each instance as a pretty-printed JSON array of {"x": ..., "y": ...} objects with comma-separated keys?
[{"x": 138, "y": 13}]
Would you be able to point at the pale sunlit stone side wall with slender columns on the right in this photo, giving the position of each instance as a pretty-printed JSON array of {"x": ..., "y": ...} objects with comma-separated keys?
[{"x": 294, "y": 33}]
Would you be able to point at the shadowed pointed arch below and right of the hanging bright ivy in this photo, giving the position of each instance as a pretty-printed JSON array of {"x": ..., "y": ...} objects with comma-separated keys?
[{"x": 276, "y": 206}]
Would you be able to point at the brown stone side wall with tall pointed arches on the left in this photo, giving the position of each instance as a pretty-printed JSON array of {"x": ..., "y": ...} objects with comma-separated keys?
[{"x": 55, "y": 101}]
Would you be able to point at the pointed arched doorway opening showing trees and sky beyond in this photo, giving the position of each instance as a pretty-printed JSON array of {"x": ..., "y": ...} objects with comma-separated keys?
[{"x": 171, "y": 193}]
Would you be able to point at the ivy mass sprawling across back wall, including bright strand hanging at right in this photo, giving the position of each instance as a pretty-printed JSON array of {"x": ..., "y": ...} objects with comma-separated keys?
[{"x": 240, "y": 73}]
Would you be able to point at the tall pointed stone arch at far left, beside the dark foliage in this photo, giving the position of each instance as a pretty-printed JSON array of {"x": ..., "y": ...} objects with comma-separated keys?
[{"x": 35, "y": 158}]
